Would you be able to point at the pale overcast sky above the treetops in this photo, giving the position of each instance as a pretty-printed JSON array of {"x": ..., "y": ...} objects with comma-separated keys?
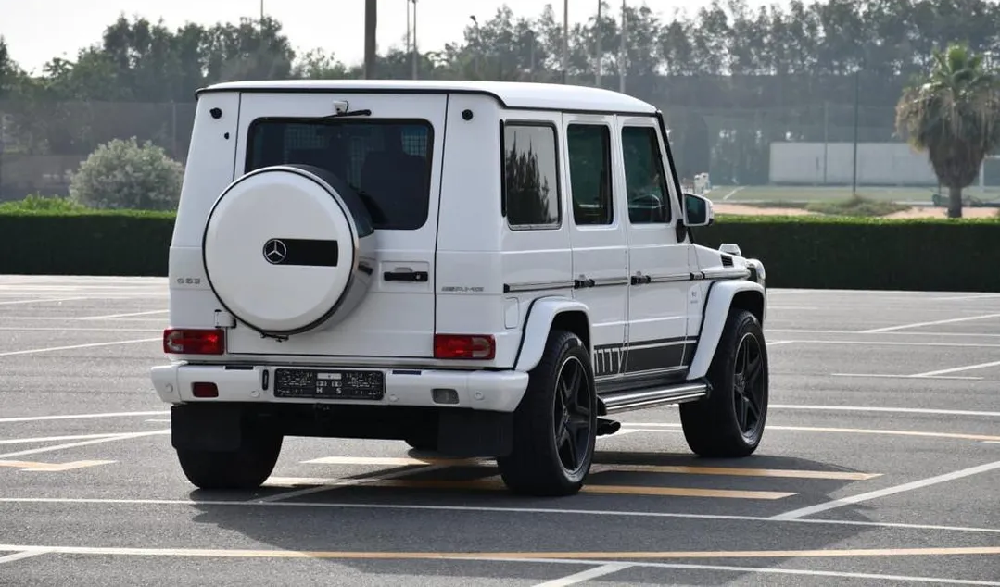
[{"x": 38, "y": 30}]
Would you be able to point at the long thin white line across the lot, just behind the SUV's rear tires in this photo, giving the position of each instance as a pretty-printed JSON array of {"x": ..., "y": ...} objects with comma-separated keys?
[{"x": 487, "y": 509}]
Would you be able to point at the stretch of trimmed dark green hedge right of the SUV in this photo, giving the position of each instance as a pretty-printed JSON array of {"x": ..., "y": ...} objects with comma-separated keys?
[{"x": 872, "y": 254}]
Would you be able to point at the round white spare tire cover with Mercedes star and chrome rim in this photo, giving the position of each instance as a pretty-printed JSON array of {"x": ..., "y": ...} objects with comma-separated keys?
[{"x": 288, "y": 249}]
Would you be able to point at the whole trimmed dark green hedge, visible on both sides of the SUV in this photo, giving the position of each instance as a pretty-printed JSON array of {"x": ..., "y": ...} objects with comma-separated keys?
[{"x": 800, "y": 252}]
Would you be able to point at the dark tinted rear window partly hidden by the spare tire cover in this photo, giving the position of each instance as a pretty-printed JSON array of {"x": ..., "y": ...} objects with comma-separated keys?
[{"x": 388, "y": 162}]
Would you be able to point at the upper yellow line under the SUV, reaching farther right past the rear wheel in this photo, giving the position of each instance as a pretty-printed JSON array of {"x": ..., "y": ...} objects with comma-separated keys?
[{"x": 731, "y": 471}]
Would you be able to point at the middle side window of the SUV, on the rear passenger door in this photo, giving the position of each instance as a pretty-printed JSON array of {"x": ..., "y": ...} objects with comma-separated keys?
[{"x": 589, "y": 147}]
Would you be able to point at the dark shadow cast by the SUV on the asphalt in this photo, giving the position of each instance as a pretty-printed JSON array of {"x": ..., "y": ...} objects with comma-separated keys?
[{"x": 437, "y": 511}]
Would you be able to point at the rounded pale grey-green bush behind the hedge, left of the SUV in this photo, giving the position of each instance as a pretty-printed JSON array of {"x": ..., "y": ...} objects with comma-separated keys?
[{"x": 123, "y": 174}]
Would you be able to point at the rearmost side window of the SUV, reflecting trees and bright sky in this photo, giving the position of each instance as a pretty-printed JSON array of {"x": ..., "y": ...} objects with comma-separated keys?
[{"x": 530, "y": 176}]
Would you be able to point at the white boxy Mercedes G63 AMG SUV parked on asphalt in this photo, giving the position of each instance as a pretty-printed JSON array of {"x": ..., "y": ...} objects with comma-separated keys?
[{"x": 478, "y": 269}]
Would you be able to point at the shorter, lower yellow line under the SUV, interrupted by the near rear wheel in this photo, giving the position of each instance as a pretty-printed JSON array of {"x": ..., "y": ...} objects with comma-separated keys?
[{"x": 495, "y": 484}]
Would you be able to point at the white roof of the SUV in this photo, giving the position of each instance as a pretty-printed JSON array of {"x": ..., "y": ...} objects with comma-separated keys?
[{"x": 521, "y": 95}]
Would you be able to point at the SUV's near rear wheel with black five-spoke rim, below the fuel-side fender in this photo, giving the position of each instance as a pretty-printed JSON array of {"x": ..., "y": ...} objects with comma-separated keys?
[{"x": 555, "y": 426}]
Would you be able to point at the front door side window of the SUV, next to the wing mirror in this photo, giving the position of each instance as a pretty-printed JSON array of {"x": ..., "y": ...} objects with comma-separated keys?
[{"x": 645, "y": 178}]
